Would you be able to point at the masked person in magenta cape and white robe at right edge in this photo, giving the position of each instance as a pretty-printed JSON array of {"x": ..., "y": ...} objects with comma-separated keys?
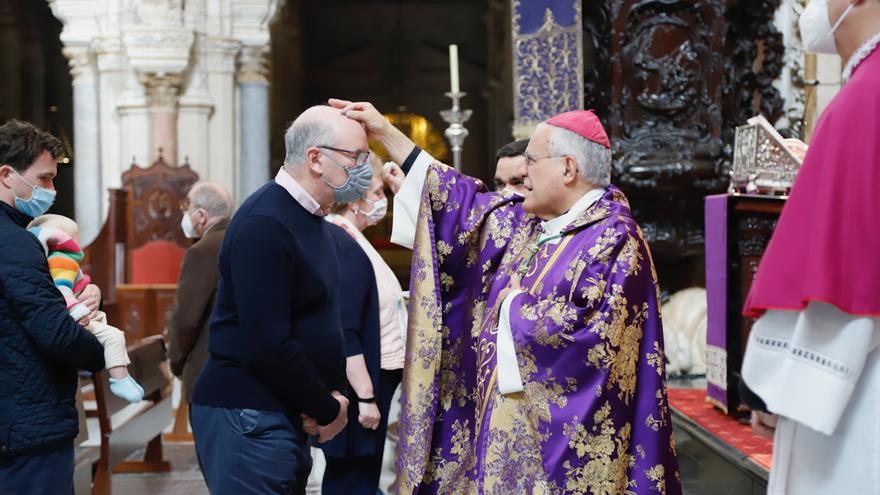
[{"x": 813, "y": 355}]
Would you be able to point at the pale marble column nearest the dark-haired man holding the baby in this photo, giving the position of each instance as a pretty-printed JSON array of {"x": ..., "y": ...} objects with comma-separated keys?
[{"x": 86, "y": 144}]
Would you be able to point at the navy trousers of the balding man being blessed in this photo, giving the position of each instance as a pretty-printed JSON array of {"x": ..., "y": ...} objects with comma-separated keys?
[{"x": 246, "y": 451}]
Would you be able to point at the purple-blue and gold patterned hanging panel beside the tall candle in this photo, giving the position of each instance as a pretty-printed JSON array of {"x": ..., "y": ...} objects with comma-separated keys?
[{"x": 547, "y": 61}]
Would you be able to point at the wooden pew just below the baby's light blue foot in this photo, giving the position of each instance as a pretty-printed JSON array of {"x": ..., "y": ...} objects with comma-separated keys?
[{"x": 120, "y": 437}]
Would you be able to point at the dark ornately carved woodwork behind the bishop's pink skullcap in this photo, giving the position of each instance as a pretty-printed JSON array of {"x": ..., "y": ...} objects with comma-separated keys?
[{"x": 671, "y": 80}]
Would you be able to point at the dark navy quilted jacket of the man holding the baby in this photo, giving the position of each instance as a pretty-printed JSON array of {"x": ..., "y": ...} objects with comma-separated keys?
[{"x": 40, "y": 346}]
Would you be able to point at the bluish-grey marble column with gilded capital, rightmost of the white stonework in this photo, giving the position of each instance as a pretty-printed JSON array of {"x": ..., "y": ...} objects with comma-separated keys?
[{"x": 253, "y": 81}]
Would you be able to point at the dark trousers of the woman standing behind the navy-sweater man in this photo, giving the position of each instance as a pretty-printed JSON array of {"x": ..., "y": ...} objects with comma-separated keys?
[{"x": 360, "y": 475}]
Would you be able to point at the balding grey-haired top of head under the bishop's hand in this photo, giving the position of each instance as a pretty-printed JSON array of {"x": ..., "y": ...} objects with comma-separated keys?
[{"x": 321, "y": 126}]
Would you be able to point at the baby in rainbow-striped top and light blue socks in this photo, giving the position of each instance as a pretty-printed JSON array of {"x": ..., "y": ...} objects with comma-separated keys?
[{"x": 59, "y": 236}]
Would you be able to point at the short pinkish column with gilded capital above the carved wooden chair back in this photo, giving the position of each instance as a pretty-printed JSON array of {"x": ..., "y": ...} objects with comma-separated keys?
[{"x": 162, "y": 98}]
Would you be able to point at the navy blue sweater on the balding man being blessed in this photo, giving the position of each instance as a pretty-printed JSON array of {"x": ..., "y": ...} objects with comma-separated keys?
[{"x": 275, "y": 338}]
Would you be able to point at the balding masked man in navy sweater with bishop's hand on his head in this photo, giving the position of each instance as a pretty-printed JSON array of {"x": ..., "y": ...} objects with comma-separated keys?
[{"x": 277, "y": 360}]
